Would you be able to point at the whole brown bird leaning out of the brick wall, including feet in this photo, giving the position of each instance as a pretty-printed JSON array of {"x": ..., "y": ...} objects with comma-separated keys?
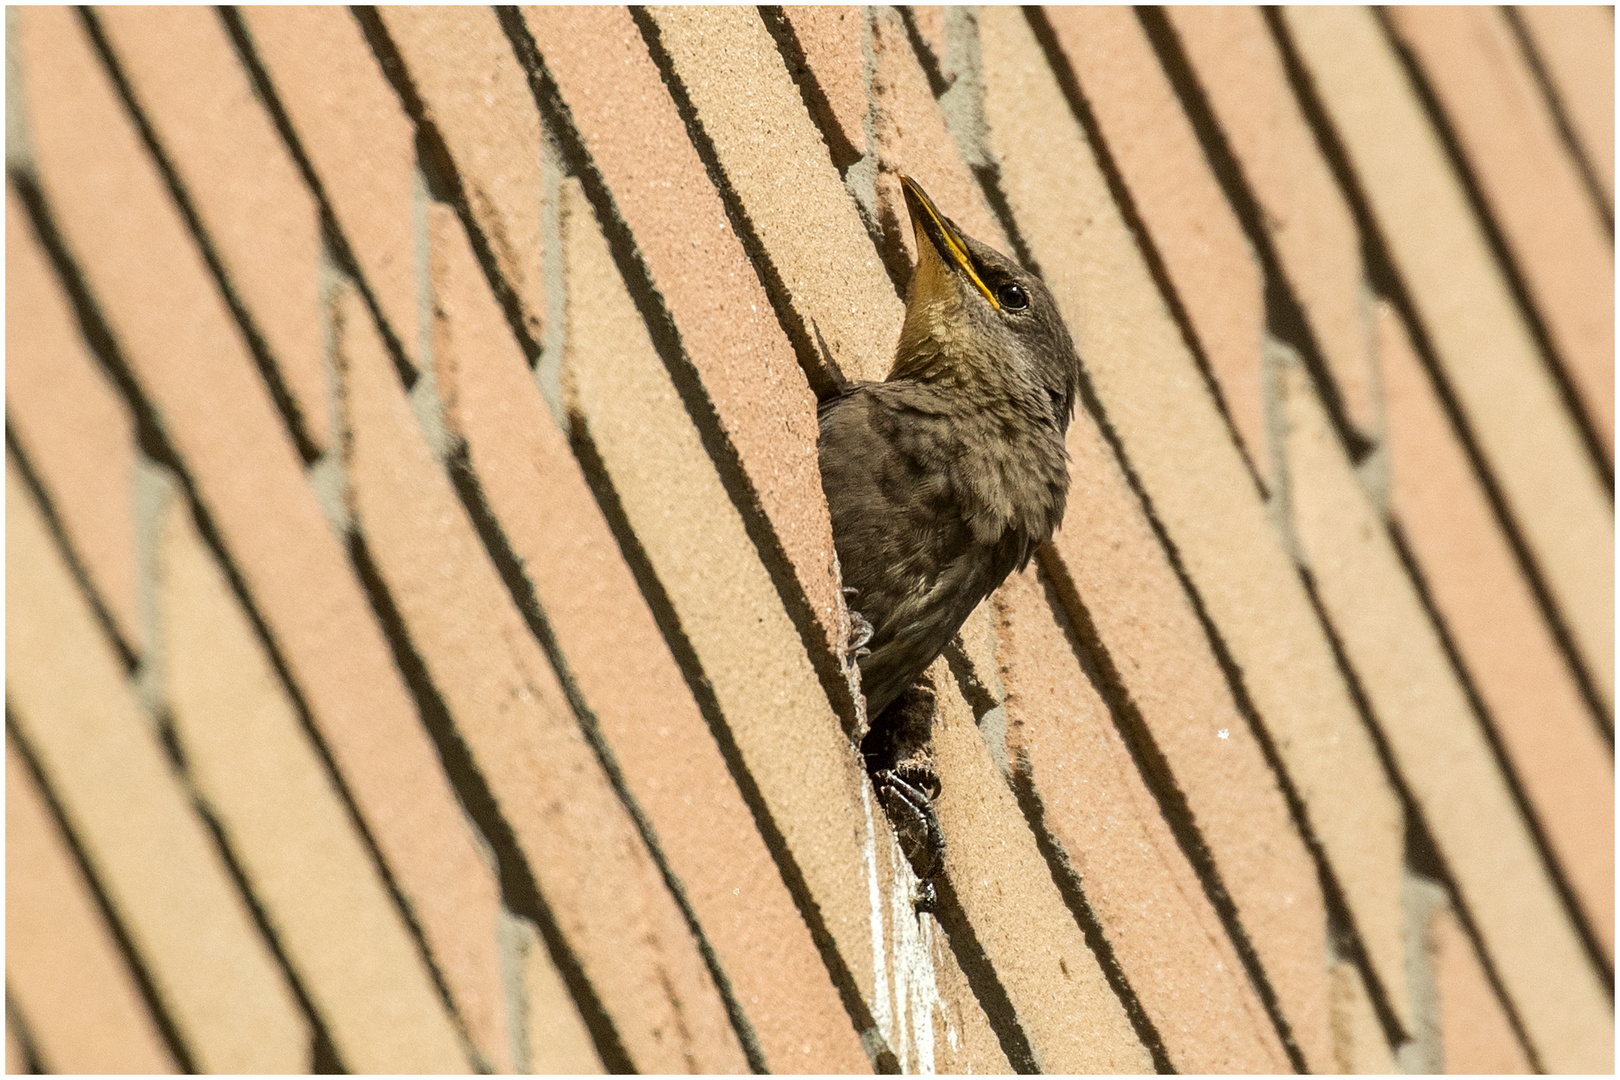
[{"x": 940, "y": 482}]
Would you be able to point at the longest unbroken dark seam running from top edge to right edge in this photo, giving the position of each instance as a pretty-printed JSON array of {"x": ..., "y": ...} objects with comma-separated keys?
[{"x": 1391, "y": 286}]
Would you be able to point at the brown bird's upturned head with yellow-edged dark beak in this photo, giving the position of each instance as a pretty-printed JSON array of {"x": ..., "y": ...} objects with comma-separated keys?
[{"x": 981, "y": 321}]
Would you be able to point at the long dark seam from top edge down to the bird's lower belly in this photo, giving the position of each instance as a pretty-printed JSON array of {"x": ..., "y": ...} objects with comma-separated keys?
[{"x": 689, "y": 385}]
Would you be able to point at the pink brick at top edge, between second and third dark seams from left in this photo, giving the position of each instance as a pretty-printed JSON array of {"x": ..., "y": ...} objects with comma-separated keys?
[{"x": 359, "y": 140}]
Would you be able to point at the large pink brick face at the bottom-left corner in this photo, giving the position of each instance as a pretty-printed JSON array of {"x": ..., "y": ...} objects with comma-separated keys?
[{"x": 62, "y": 967}]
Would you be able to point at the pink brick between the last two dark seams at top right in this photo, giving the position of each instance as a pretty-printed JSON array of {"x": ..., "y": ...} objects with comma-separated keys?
[{"x": 1533, "y": 189}]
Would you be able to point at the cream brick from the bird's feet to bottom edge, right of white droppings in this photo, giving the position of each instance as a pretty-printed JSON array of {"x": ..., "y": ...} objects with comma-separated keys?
[{"x": 1073, "y": 1019}]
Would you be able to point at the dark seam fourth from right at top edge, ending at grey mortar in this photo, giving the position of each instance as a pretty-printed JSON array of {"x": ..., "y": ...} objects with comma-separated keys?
[{"x": 1284, "y": 312}]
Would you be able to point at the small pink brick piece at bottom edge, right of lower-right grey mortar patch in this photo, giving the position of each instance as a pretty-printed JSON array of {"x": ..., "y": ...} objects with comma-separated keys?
[{"x": 1475, "y": 1032}]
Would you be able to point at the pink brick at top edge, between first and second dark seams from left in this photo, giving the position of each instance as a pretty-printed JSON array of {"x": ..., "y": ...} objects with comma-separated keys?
[{"x": 241, "y": 181}]
